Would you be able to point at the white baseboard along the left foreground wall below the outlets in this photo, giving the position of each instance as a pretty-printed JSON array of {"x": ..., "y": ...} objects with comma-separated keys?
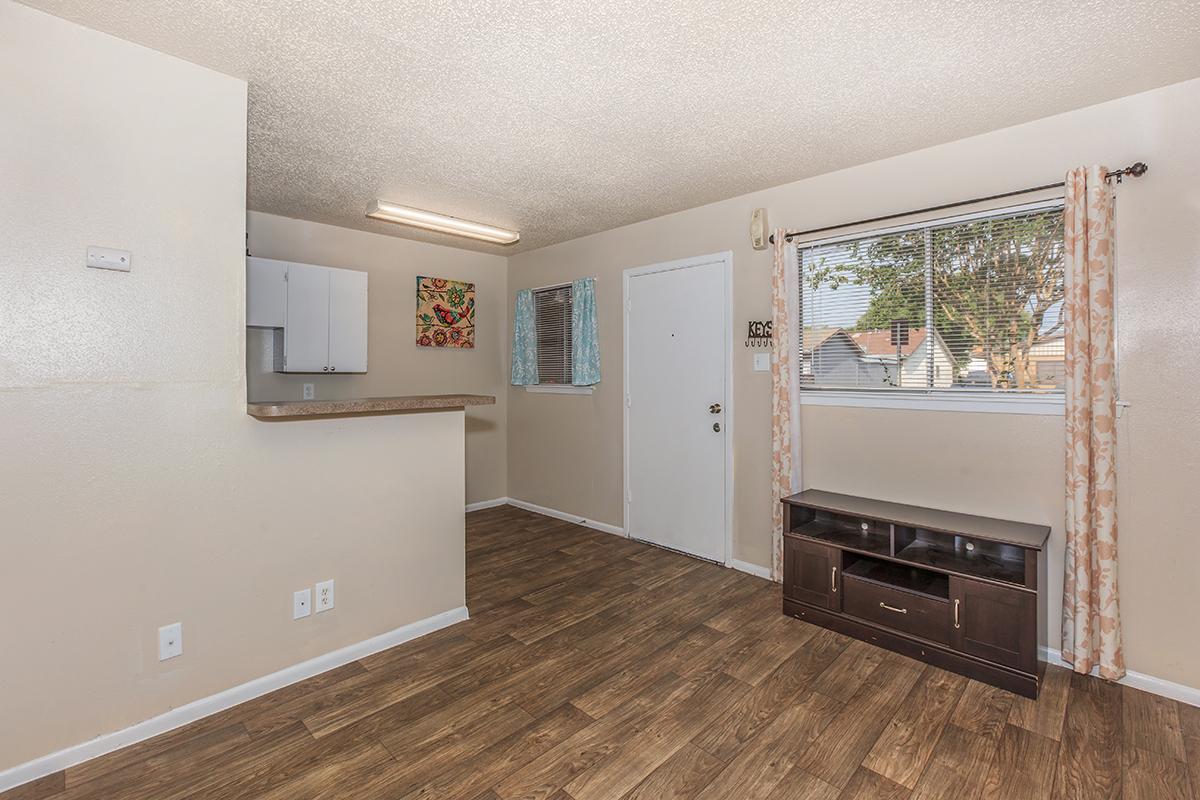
[{"x": 208, "y": 706}]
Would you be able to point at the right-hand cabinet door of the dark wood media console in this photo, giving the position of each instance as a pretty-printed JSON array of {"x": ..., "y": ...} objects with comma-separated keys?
[{"x": 995, "y": 623}]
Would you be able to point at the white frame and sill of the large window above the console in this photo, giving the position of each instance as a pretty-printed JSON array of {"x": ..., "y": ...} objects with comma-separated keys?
[{"x": 944, "y": 400}]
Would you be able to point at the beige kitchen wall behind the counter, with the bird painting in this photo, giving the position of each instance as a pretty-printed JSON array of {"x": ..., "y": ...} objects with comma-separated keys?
[{"x": 397, "y": 365}]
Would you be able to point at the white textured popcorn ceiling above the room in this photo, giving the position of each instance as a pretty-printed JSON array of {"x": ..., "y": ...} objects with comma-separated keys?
[{"x": 562, "y": 118}]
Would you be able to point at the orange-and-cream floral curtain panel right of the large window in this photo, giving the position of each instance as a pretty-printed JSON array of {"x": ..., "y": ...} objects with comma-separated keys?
[{"x": 1091, "y": 619}]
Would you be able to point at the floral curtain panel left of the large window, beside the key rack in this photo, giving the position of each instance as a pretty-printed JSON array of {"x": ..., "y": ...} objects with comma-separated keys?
[{"x": 785, "y": 419}]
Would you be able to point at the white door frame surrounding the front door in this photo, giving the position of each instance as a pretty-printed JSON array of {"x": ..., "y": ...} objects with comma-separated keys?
[{"x": 727, "y": 261}]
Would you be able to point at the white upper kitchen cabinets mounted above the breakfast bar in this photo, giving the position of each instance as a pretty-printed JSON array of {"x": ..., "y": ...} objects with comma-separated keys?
[{"x": 321, "y": 310}]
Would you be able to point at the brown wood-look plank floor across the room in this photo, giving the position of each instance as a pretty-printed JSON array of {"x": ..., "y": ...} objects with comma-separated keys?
[{"x": 596, "y": 667}]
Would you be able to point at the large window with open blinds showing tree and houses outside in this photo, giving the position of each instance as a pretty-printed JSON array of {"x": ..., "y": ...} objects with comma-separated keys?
[{"x": 956, "y": 308}]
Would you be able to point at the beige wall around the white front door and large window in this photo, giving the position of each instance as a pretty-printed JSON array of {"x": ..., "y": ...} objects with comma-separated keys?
[{"x": 565, "y": 453}]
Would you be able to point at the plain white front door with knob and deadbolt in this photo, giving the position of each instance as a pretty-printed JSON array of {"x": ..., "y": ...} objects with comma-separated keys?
[{"x": 677, "y": 366}]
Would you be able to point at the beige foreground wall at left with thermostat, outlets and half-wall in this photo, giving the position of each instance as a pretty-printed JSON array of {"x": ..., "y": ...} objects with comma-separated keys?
[{"x": 136, "y": 490}]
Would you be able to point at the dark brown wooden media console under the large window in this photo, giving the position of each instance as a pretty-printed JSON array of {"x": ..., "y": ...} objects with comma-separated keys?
[{"x": 959, "y": 592}]
